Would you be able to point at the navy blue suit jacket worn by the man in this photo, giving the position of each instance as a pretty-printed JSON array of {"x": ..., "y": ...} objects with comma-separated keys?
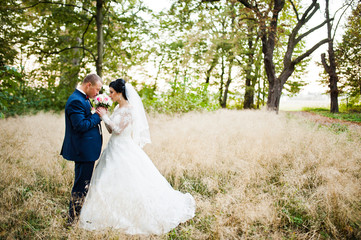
[{"x": 83, "y": 139}]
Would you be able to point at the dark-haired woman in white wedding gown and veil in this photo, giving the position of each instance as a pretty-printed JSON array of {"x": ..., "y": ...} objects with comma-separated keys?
[{"x": 127, "y": 191}]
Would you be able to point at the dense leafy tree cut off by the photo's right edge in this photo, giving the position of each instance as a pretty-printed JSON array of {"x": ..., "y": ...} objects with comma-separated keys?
[{"x": 348, "y": 56}]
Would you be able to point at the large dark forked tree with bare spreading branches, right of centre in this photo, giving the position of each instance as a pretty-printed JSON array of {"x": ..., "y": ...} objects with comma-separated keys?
[{"x": 268, "y": 32}]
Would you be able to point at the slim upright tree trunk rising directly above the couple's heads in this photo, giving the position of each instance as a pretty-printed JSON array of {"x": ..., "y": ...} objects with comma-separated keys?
[{"x": 100, "y": 38}]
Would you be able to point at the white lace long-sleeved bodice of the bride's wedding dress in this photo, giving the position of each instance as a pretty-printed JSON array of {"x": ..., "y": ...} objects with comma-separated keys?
[{"x": 120, "y": 122}]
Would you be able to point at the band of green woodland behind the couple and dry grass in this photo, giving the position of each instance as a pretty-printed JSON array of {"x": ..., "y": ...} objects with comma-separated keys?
[{"x": 192, "y": 55}]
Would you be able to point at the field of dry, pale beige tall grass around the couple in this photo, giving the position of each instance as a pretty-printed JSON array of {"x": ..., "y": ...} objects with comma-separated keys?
[{"x": 254, "y": 174}]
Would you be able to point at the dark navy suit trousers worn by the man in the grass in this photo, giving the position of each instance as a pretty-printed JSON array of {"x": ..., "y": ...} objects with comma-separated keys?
[{"x": 83, "y": 174}]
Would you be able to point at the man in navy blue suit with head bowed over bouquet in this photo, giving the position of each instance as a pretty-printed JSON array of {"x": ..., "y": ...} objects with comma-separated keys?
[{"x": 83, "y": 141}]
